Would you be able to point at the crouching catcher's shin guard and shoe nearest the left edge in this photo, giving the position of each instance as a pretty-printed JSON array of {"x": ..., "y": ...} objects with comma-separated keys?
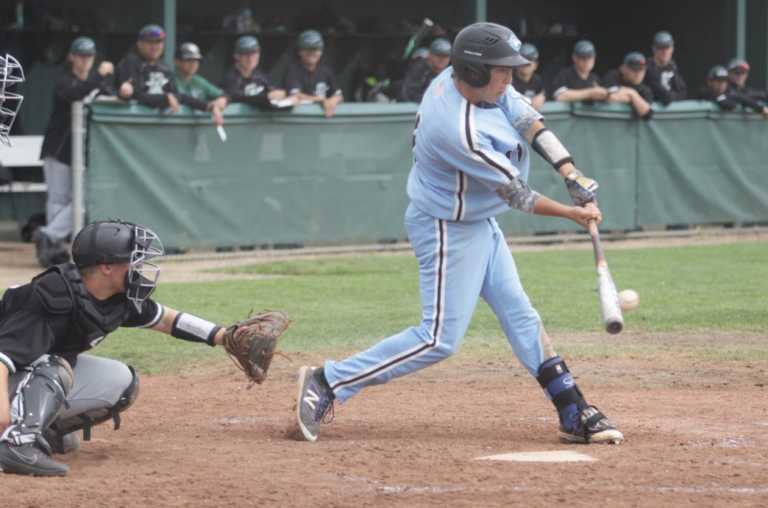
[{"x": 39, "y": 398}]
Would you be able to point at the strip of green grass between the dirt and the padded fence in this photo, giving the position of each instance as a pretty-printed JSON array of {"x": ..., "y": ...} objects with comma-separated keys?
[{"x": 345, "y": 303}]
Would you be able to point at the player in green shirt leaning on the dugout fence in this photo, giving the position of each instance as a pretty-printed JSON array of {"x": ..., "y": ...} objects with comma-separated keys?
[{"x": 194, "y": 90}]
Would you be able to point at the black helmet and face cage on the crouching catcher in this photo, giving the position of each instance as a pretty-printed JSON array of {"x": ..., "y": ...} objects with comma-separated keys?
[{"x": 112, "y": 242}]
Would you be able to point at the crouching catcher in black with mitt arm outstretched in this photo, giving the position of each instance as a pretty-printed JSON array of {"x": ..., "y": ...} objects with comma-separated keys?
[{"x": 54, "y": 388}]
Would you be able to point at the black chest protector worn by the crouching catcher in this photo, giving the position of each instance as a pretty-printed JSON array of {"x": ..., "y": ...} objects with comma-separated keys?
[{"x": 67, "y": 294}]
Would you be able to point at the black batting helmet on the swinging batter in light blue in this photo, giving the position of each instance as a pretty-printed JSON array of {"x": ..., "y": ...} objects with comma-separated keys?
[{"x": 481, "y": 46}]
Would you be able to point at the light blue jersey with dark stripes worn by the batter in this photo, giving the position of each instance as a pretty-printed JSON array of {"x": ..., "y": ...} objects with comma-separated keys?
[{"x": 463, "y": 153}]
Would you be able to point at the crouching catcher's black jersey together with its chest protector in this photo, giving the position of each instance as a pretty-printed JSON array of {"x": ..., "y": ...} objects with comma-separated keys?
[{"x": 47, "y": 316}]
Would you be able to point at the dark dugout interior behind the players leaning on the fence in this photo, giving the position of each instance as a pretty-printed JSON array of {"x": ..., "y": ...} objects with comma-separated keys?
[{"x": 707, "y": 32}]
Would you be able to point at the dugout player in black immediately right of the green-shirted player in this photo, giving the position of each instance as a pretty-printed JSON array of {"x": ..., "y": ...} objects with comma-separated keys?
[{"x": 244, "y": 81}]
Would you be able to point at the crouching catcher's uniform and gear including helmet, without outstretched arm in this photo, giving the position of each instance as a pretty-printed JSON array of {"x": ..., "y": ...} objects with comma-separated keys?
[{"x": 47, "y": 325}]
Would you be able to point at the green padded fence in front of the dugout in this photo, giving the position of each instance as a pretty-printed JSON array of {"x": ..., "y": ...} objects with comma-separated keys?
[{"x": 300, "y": 178}]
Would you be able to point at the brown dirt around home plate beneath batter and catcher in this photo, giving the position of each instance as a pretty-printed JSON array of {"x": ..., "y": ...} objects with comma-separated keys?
[{"x": 697, "y": 434}]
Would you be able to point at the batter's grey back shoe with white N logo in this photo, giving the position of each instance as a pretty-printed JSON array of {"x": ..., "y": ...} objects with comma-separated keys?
[{"x": 314, "y": 402}]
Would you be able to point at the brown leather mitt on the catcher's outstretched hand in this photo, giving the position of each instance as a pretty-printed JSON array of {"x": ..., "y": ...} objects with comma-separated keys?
[{"x": 251, "y": 342}]
